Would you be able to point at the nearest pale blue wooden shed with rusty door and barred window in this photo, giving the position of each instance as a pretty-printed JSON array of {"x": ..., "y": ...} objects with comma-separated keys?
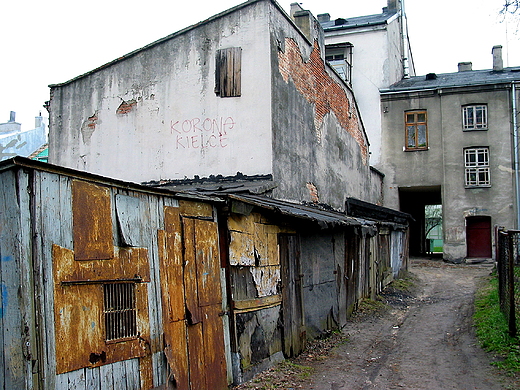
[{"x": 107, "y": 284}]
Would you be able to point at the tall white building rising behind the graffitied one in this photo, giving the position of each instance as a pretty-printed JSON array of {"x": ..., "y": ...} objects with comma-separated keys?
[{"x": 371, "y": 52}]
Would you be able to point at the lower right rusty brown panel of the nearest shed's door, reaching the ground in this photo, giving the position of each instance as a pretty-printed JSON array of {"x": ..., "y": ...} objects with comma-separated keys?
[{"x": 214, "y": 358}]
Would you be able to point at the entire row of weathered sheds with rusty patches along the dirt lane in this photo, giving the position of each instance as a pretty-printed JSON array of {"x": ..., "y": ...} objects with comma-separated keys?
[{"x": 109, "y": 284}]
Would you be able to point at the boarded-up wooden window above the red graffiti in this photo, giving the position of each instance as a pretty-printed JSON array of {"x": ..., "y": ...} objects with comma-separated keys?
[{"x": 228, "y": 72}]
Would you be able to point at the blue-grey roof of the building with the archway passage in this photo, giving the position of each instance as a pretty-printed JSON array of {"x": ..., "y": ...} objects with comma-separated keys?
[{"x": 457, "y": 79}]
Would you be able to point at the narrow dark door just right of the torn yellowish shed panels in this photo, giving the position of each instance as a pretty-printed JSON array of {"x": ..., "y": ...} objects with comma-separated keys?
[{"x": 294, "y": 336}]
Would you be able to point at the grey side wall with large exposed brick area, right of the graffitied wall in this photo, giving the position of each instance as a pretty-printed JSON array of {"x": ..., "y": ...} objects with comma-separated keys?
[{"x": 319, "y": 145}]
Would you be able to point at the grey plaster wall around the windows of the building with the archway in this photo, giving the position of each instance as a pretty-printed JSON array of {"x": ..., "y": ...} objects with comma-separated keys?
[{"x": 443, "y": 163}]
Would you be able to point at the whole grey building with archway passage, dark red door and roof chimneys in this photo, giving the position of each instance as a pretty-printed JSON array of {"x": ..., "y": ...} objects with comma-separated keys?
[{"x": 449, "y": 140}]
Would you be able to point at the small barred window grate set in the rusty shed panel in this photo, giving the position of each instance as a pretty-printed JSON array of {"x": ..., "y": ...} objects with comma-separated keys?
[{"x": 120, "y": 311}]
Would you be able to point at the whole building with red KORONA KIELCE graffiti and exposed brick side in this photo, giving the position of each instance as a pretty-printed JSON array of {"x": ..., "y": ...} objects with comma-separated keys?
[{"x": 245, "y": 91}]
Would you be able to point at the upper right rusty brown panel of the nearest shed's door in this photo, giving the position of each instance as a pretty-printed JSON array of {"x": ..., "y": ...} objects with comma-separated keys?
[{"x": 208, "y": 262}]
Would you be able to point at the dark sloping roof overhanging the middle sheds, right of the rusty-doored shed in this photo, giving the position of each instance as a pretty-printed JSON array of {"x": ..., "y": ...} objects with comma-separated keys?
[{"x": 324, "y": 218}]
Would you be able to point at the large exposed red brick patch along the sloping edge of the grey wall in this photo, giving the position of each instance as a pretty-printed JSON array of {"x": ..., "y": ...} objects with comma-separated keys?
[{"x": 314, "y": 83}]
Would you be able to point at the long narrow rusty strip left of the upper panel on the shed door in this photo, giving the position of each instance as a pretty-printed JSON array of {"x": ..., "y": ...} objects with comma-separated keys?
[{"x": 190, "y": 272}]
